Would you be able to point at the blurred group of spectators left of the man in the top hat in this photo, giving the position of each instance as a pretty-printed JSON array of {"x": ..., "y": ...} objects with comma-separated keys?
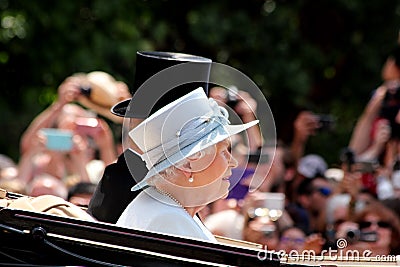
[{"x": 64, "y": 150}]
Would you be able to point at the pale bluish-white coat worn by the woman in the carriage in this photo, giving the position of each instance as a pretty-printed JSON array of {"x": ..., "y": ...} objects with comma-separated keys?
[{"x": 157, "y": 212}]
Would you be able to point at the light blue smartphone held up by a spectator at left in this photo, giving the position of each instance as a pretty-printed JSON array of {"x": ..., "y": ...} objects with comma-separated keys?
[{"x": 57, "y": 139}]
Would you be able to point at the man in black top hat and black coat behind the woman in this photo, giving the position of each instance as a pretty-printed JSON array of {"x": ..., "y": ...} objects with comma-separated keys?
[{"x": 113, "y": 192}]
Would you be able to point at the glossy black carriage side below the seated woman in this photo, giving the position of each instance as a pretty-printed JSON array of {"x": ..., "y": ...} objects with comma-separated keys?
[{"x": 38, "y": 238}]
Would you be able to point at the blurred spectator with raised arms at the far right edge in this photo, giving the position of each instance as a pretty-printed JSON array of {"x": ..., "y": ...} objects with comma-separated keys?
[{"x": 377, "y": 131}]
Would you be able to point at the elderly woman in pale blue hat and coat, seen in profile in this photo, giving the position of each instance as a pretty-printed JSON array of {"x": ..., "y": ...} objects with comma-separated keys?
[{"x": 186, "y": 150}]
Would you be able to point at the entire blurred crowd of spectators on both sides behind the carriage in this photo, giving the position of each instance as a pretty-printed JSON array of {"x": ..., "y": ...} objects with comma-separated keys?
[{"x": 356, "y": 202}]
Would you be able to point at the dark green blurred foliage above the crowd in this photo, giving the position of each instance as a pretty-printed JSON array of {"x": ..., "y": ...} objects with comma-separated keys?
[{"x": 325, "y": 55}]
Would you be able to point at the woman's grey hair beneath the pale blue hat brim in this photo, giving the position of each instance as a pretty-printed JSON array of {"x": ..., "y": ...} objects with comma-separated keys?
[{"x": 171, "y": 172}]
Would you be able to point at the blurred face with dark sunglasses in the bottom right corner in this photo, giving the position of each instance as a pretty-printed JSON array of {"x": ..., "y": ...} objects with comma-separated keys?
[{"x": 373, "y": 222}]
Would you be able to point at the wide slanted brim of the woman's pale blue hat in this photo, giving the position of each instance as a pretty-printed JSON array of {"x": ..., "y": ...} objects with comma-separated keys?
[{"x": 217, "y": 135}]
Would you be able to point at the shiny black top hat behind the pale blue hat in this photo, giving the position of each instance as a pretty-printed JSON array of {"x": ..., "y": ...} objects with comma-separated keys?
[{"x": 165, "y": 86}]
